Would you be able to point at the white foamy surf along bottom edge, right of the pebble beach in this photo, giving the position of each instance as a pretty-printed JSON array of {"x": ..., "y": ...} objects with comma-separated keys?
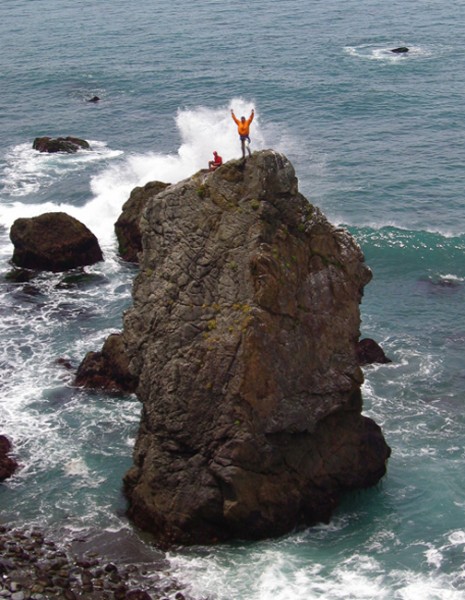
[{"x": 277, "y": 573}]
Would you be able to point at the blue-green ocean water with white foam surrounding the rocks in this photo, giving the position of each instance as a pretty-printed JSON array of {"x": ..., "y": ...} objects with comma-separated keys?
[{"x": 377, "y": 140}]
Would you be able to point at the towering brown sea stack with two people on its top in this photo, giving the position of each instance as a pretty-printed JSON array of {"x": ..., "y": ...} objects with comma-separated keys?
[{"x": 243, "y": 336}]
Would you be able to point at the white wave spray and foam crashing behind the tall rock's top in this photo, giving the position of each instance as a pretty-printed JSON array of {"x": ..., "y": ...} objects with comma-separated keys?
[{"x": 202, "y": 130}]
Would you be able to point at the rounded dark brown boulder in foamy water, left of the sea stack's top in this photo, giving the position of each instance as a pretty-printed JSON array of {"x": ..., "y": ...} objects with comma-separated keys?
[{"x": 53, "y": 242}]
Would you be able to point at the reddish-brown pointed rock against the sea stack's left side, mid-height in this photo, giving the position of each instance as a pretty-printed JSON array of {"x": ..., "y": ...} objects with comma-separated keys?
[{"x": 108, "y": 369}]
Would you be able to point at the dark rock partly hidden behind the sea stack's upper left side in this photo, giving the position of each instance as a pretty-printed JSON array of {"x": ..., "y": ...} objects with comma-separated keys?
[{"x": 127, "y": 226}]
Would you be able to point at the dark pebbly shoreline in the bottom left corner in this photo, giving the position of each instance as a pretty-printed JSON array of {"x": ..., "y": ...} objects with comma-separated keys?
[{"x": 99, "y": 565}]
